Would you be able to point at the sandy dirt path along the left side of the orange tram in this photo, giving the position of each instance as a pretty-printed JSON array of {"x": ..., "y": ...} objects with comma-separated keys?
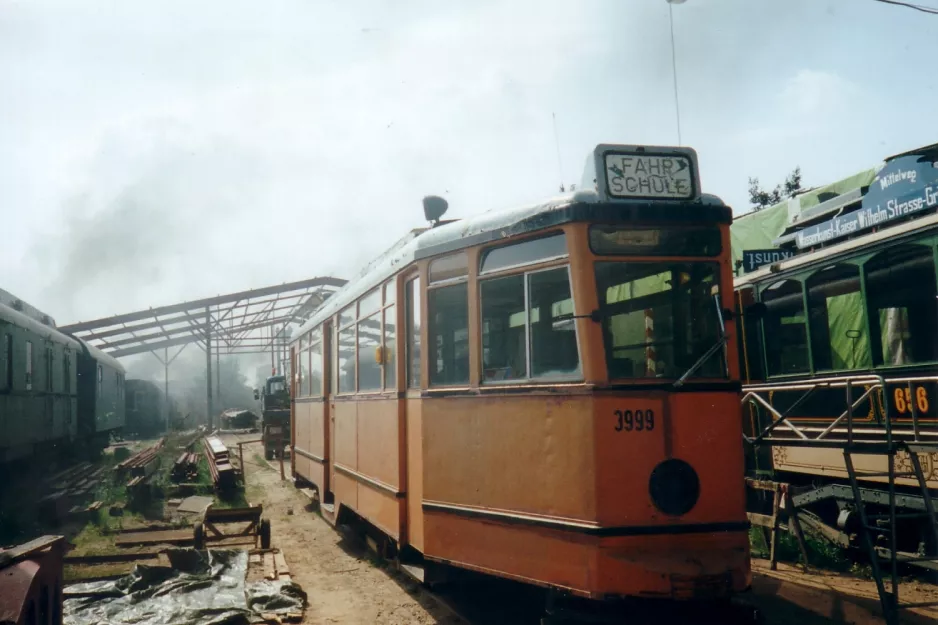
[{"x": 341, "y": 581}]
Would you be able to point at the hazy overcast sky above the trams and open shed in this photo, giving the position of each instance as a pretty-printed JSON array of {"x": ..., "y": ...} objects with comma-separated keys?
[{"x": 153, "y": 152}]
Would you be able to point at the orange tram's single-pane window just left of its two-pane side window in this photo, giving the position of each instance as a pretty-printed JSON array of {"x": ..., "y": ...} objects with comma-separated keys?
[{"x": 449, "y": 335}]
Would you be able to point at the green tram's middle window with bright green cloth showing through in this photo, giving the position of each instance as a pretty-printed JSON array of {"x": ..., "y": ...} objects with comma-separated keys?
[{"x": 824, "y": 349}]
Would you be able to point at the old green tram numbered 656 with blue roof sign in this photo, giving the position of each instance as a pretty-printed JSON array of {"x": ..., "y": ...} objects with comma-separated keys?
[{"x": 842, "y": 285}]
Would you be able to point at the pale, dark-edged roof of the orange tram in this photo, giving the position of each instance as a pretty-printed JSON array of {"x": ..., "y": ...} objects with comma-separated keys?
[{"x": 504, "y": 224}]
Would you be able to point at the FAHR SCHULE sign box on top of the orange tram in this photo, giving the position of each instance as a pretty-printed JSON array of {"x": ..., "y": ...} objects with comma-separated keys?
[{"x": 644, "y": 173}]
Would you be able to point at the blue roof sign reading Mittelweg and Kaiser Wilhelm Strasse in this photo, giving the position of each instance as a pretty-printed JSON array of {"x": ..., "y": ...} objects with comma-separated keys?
[{"x": 904, "y": 186}]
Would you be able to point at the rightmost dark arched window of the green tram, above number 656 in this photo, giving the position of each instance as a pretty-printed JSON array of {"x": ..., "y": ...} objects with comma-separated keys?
[{"x": 901, "y": 297}]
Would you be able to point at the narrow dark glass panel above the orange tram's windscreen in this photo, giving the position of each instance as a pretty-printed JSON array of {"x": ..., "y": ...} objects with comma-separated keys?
[{"x": 653, "y": 241}]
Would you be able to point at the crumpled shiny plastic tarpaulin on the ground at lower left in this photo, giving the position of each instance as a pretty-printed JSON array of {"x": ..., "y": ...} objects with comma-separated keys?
[{"x": 199, "y": 588}]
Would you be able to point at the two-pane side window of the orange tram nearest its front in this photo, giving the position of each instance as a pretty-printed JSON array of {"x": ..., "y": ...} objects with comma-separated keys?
[{"x": 528, "y": 329}]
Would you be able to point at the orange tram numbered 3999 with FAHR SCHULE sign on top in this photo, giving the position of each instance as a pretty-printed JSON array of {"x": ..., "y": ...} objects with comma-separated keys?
[{"x": 548, "y": 394}]
